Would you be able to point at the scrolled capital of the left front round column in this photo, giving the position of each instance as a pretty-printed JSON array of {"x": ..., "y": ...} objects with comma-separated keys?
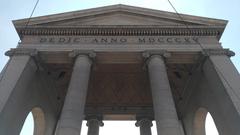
[{"x": 90, "y": 53}]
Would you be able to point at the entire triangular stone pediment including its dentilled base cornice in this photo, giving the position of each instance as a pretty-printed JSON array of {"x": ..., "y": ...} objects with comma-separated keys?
[{"x": 120, "y": 20}]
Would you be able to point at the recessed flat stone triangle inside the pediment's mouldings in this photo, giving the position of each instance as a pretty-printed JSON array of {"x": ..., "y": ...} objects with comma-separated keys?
[{"x": 117, "y": 18}]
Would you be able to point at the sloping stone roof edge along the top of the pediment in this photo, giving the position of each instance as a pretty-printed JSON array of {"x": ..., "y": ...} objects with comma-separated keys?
[{"x": 123, "y": 8}]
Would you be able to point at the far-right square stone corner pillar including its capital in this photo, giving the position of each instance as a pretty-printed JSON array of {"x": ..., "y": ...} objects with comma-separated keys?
[{"x": 227, "y": 77}]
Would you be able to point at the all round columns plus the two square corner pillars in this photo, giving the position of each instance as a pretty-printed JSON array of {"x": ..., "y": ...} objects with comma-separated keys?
[{"x": 72, "y": 114}]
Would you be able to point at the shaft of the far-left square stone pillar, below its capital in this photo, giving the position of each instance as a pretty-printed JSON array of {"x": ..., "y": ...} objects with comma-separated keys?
[{"x": 14, "y": 83}]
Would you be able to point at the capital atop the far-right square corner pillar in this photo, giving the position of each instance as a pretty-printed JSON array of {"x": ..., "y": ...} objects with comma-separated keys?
[{"x": 210, "y": 52}]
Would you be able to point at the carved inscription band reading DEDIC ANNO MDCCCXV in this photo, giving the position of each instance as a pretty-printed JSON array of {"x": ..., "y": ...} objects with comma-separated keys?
[{"x": 118, "y": 40}]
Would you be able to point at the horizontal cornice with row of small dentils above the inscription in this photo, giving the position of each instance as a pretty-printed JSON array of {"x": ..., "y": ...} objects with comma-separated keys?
[{"x": 131, "y": 30}]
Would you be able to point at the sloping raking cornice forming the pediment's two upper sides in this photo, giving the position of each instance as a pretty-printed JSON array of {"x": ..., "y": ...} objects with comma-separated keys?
[{"x": 122, "y": 9}]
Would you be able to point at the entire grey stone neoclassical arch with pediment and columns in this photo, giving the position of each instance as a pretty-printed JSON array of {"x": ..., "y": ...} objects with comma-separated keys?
[{"x": 120, "y": 63}]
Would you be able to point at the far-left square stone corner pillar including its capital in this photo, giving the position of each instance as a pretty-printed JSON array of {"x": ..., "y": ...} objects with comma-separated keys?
[{"x": 14, "y": 82}]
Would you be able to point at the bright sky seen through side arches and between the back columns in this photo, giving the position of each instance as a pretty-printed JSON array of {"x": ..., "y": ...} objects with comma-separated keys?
[{"x": 118, "y": 127}]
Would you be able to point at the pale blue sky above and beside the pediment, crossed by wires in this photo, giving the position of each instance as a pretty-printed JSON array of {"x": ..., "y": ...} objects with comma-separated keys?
[{"x": 18, "y": 9}]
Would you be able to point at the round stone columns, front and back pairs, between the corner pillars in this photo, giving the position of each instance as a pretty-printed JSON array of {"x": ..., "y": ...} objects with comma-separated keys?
[{"x": 163, "y": 104}]
